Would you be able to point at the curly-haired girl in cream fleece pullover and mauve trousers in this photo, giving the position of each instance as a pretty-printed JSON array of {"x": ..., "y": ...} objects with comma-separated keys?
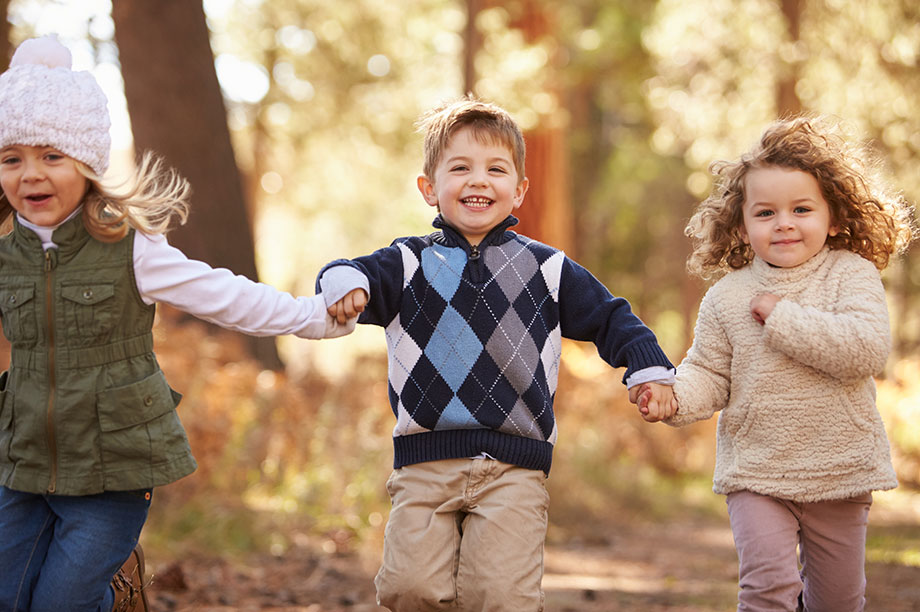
[{"x": 786, "y": 345}]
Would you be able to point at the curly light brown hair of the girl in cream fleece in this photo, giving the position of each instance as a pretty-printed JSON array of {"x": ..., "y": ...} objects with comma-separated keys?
[{"x": 870, "y": 221}]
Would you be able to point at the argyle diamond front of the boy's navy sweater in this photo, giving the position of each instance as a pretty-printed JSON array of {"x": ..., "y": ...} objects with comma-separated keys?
[{"x": 472, "y": 356}]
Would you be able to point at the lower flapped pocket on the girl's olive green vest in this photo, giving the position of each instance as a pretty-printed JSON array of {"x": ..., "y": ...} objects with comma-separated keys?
[{"x": 139, "y": 427}]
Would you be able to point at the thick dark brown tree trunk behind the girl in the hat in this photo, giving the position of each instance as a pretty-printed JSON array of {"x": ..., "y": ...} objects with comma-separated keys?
[{"x": 177, "y": 110}]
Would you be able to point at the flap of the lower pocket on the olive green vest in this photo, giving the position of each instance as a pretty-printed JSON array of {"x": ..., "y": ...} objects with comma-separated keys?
[{"x": 136, "y": 403}]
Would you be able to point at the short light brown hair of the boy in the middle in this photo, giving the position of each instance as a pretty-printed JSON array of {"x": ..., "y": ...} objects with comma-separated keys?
[{"x": 490, "y": 123}]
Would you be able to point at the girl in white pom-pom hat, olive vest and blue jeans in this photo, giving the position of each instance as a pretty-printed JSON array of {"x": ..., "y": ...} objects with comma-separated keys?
[{"x": 88, "y": 423}]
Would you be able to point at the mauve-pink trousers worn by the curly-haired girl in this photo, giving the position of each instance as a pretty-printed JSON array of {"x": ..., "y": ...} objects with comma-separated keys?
[{"x": 829, "y": 571}]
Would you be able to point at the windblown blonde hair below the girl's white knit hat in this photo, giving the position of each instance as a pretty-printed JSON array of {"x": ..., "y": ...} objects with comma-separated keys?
[{"x": 153, "y": 199}]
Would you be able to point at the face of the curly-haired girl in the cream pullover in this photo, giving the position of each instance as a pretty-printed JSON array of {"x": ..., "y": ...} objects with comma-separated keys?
[{"x": 786, "y": 218}]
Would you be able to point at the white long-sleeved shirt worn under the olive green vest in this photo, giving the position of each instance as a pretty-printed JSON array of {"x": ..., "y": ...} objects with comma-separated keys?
[{"x": 165, "y": 275}]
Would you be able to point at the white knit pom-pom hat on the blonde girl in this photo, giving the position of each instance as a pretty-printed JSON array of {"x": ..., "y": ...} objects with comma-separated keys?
[{"x": 45, "y": 103}]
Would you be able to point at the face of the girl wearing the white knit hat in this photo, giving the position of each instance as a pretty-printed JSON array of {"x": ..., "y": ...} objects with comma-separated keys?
[{"x": 41, "y": 183}]
